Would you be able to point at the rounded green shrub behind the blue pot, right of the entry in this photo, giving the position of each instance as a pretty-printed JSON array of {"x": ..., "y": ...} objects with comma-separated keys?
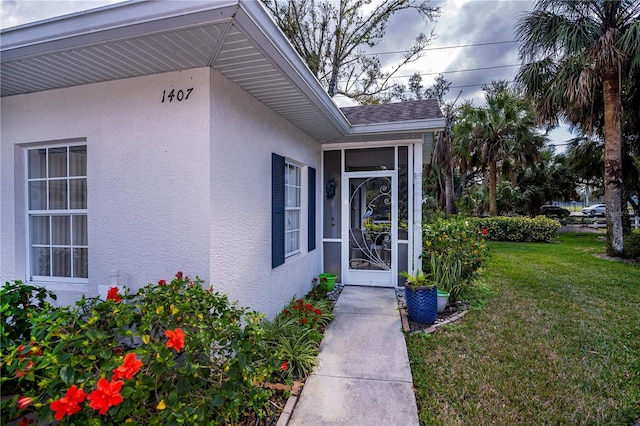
[{"x": 457, "y": 238}]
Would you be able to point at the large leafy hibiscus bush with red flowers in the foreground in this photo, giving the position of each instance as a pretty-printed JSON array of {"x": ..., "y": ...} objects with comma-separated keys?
[{"x": 173, "y": 353}]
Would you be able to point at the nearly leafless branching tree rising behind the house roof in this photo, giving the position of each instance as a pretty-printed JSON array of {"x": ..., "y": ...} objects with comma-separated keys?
[{"x": 329, "y": 36}]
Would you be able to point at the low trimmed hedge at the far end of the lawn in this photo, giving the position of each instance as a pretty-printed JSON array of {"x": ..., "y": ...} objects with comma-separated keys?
[{"x": 524, "y": 229}]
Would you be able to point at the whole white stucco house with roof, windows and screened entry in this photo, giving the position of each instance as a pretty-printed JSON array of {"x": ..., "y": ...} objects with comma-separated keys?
[{"x": 145, "y": 138}]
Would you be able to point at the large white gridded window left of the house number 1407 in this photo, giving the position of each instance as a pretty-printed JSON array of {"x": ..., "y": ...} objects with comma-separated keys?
[{"x": 57, "y": 210}]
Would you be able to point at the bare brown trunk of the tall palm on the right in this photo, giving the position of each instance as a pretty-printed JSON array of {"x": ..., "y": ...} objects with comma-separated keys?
[{"x": 613, "y": 185}]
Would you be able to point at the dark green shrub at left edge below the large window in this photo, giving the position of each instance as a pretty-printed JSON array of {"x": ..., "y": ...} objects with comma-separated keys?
[{"x": 19, "y": 302}]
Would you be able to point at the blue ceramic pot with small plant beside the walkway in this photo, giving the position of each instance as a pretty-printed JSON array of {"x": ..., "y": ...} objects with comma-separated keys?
[{"x": 421, "y": 296}]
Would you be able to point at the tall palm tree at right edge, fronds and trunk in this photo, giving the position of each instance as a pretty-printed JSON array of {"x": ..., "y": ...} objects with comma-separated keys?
[{"x": 576, "y": 56}]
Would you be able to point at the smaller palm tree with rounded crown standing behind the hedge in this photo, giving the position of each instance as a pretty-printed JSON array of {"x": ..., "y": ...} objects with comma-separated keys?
[{"x": 500, "y": 132}]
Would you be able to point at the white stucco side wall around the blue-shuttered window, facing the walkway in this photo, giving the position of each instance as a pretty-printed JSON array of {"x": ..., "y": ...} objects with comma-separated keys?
[{"x": 244, "y": 134}]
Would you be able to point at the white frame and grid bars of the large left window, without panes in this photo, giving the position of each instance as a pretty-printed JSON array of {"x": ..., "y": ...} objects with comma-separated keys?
[{"x": 72, "y": 213}]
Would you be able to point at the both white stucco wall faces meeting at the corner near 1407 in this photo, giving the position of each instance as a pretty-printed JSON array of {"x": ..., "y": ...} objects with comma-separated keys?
[{"x": 167, "y": 191}]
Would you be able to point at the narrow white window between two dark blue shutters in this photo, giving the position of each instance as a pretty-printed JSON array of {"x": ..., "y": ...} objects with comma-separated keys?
[{"x": 293, "y": 208}]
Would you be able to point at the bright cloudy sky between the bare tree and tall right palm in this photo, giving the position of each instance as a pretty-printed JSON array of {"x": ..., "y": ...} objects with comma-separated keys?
[{"x": 461, "y": 22}]
